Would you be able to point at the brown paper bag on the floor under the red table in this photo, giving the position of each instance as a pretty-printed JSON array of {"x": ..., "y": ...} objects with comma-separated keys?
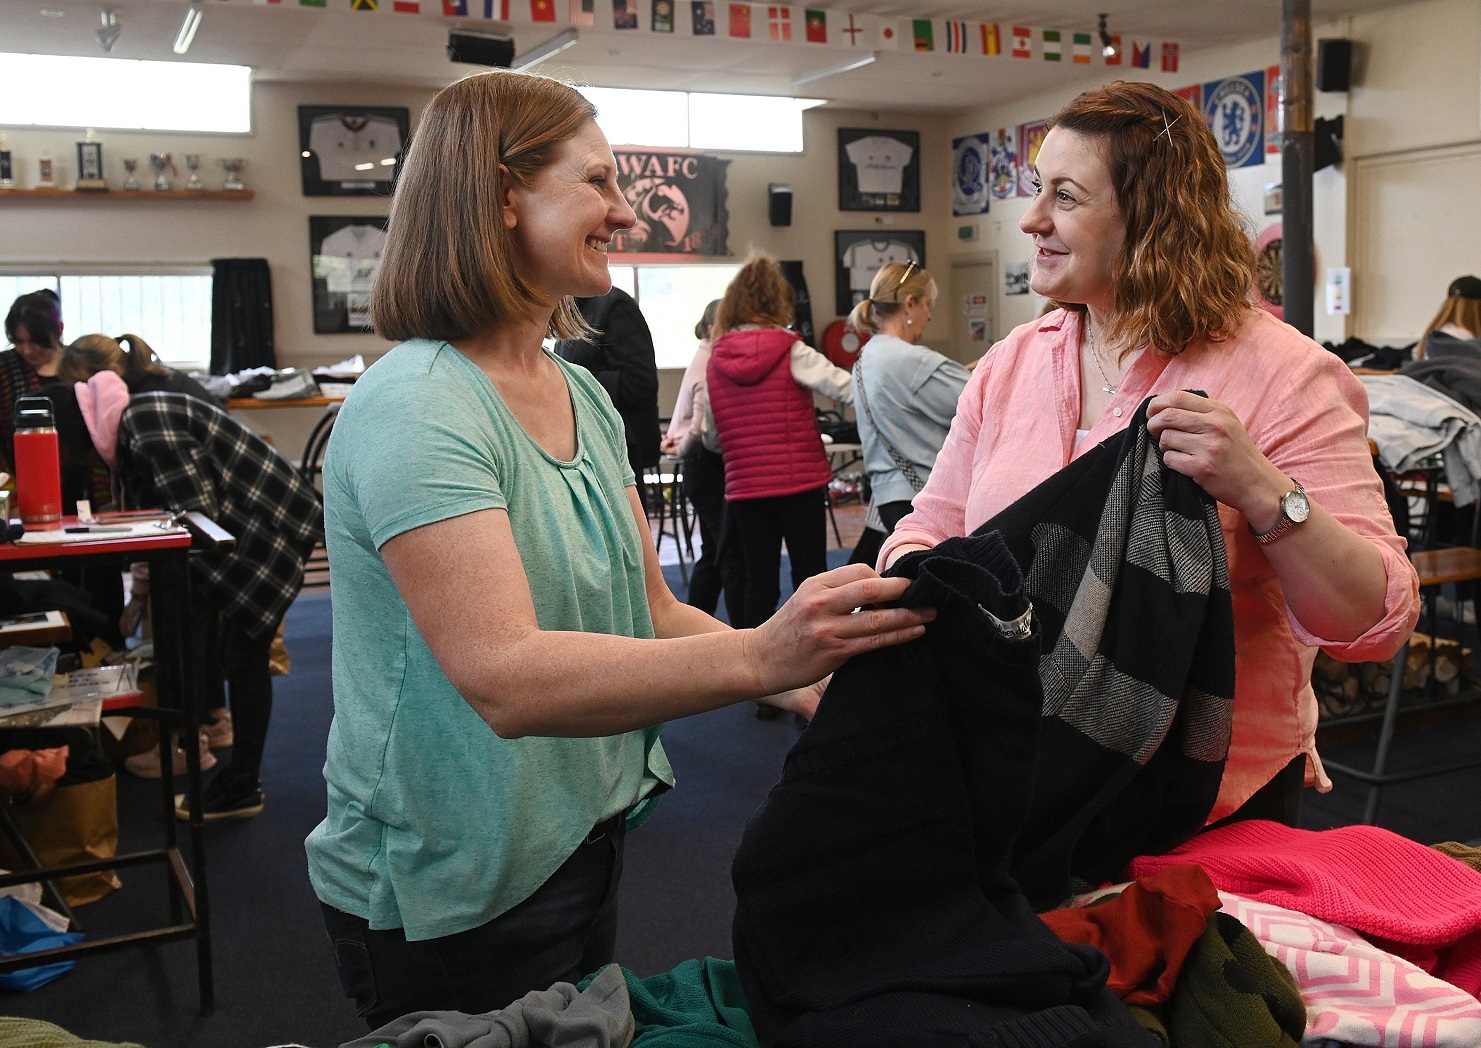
[{"x": 73, "y": 825}]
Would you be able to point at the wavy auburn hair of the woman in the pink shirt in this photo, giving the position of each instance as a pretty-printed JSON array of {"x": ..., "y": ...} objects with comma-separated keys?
[{"x": 1189, "y": 264}]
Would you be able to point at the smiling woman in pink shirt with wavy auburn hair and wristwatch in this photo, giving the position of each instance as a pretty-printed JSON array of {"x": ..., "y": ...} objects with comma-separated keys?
[{"x": 1137, "y": 242}]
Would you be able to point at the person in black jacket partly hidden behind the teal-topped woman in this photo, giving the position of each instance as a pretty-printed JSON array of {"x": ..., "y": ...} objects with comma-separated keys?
[{"x": 621, "y": 356}]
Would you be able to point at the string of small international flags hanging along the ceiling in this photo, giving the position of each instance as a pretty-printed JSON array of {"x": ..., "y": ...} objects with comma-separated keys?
[{"x": 762, "y": 23}]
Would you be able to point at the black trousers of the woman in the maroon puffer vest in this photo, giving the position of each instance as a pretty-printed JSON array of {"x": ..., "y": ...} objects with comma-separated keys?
[{"x": 765, "y": 525}]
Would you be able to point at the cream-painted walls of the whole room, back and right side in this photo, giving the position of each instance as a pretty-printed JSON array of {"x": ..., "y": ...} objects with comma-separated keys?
[{"x": 1418, "y": 85}]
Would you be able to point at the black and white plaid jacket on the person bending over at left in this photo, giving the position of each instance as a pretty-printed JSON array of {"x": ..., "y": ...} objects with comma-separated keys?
[{"x": 180, "y": 454}]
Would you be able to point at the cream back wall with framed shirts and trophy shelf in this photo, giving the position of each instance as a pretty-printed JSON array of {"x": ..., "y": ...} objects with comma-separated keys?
[{"x": 275, "y": 224}]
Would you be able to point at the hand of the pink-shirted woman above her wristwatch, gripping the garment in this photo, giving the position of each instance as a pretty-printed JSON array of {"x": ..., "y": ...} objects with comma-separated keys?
[{"x": 1205, "y": 440}]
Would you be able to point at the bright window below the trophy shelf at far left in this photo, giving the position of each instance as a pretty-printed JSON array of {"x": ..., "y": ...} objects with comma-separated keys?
[{"x": 168, "y": 307}]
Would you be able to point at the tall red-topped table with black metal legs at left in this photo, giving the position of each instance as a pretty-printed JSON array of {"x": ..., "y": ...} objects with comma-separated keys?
[{"x": 175, "y": 664}]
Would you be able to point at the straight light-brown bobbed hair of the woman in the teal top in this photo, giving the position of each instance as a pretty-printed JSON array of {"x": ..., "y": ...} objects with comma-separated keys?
[{"x": 449, "y": 267}]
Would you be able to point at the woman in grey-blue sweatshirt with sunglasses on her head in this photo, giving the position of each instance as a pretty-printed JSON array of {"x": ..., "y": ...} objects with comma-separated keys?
[{"x": 906, "y": 394}]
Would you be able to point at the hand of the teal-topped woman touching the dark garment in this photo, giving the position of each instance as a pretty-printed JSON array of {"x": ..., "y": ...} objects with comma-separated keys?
[{"x": 821, "y": 628}]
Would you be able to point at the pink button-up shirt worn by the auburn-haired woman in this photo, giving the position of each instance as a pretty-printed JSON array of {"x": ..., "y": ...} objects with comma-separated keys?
[{"x": 1308, "y": 415}]
